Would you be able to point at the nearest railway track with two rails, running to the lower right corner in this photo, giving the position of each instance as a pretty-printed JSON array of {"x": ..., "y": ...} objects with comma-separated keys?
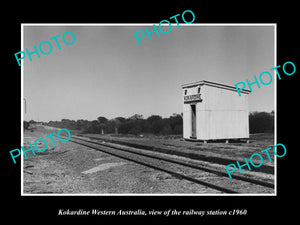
[{"x": 182, "y": 168}]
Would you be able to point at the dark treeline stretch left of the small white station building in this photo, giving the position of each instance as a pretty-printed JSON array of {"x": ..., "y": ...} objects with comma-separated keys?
[{"x": 135, "y": 124}]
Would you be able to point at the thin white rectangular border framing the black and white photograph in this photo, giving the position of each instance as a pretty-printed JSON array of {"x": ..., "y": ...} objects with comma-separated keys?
[{"x": 150, "y": 24}]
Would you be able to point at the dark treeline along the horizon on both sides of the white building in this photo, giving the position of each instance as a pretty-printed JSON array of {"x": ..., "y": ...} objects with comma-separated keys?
[{"x": 259, "y": 122}]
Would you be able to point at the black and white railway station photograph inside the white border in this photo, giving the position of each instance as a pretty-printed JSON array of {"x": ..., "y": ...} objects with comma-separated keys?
[{"x": 158, "y": 117}]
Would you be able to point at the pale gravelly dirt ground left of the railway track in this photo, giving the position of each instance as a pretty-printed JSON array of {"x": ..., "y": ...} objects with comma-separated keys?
[{"x": 69, "y": 168}]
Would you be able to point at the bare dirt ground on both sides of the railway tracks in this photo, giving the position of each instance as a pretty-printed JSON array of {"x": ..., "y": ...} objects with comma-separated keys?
[{"x": 68, "y": 168}]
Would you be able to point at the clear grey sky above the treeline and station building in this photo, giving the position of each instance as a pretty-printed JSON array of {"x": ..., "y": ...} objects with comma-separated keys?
[{"x": 106, "y": 73}]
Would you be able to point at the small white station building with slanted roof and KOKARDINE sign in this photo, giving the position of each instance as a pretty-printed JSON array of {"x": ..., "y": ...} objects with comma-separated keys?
[{"x": 213, "y": 111}]
